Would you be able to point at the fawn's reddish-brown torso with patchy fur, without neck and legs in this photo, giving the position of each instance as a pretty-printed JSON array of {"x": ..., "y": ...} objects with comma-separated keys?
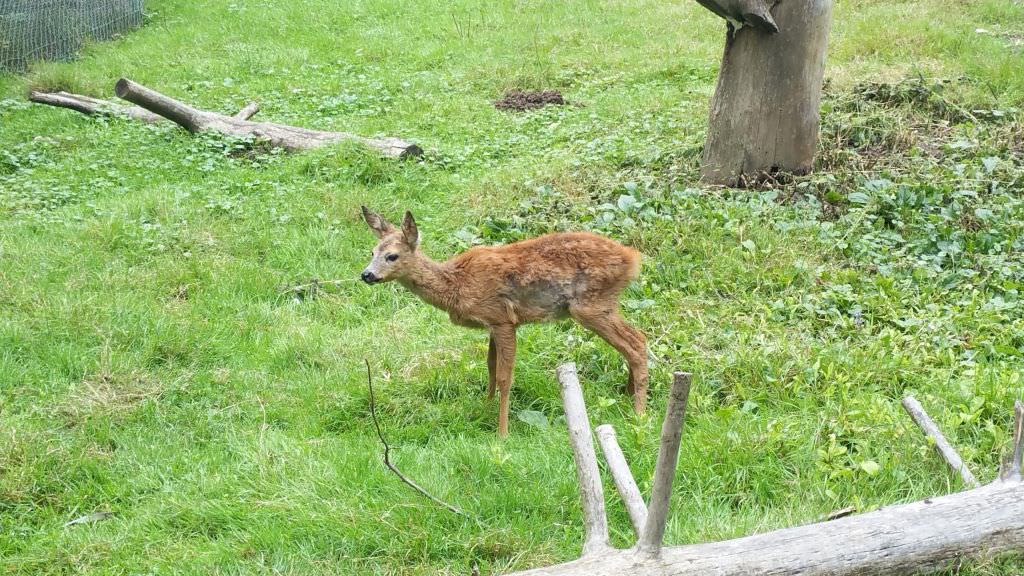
[{"x": 540, "y": 279}]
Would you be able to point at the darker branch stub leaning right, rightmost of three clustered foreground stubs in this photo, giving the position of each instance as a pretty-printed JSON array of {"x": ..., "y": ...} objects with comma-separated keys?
[{"x": 665, "y": 470}]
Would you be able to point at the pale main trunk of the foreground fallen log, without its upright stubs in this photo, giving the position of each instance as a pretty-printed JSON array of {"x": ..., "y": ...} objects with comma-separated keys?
[{"x": 898, "y": 541}]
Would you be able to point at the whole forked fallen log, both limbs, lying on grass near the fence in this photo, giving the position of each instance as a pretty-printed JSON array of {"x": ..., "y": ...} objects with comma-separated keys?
[{"x": 154, "y": 107}]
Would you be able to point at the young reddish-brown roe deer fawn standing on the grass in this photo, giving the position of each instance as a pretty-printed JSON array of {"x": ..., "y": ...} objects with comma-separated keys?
[{"x": 579, "y": 275}]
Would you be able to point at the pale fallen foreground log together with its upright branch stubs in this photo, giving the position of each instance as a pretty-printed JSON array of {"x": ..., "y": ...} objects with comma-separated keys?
[{"x": 932, "y": 534}]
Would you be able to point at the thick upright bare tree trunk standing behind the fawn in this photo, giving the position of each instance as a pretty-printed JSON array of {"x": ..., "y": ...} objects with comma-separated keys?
[{"x": 765, "y": 112}]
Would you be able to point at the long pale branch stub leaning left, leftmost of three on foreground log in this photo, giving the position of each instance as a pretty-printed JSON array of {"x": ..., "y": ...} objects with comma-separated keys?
[{"x": 591, "y": 493}]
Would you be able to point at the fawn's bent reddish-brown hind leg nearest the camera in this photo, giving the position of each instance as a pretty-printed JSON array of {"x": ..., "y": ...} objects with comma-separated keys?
[{"x": 630, "y": 343}]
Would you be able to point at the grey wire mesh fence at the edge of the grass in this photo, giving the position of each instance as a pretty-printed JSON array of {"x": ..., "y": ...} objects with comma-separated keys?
[{"x": 56, "y": 30}]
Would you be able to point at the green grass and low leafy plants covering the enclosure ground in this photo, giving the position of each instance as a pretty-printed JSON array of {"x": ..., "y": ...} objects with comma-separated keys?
[{"x": 155, "y": 363}]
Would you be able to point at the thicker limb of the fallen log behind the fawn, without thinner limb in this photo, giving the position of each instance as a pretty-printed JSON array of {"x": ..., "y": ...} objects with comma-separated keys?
[{"x": 289, "y": 138}]
